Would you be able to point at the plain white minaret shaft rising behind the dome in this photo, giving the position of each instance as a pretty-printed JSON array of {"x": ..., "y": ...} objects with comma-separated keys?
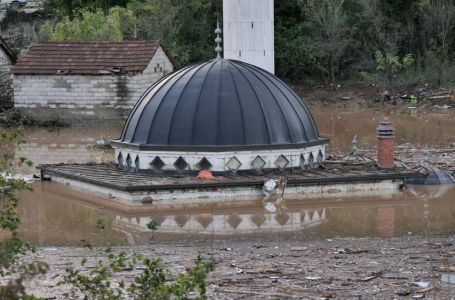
[{"x": 248, "y": 27}]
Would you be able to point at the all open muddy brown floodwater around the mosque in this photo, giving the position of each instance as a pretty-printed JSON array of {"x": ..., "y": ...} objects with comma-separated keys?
[{"x": 55, "y": 215}]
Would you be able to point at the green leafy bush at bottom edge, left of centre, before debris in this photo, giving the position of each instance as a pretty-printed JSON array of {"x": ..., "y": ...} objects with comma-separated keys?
[{"x": 154, "y": 282}]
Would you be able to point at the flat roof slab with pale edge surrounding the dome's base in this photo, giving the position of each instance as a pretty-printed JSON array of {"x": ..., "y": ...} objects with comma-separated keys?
[{"x": 129, "y": 188}]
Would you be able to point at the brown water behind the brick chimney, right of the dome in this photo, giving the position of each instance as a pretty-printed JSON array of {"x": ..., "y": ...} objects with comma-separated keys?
[{"x": 342, "y": 124}]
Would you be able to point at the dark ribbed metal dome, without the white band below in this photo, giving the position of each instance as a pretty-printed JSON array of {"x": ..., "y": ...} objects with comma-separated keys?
[{"x": 220, "y": 105}]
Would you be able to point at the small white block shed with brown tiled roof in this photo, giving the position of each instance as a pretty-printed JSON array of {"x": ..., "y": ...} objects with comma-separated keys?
[{"x": 79, "y": 82}]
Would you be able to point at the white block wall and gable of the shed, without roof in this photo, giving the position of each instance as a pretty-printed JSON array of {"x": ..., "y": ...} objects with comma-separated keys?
[{"x": 81, "y": 98}]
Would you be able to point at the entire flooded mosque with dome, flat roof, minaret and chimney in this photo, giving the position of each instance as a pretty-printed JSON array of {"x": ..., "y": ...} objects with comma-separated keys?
[{"x": 230, "y": 120}]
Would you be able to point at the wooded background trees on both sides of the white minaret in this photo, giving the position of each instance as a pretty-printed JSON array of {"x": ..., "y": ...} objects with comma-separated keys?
[{"x": 326, "y": 40}]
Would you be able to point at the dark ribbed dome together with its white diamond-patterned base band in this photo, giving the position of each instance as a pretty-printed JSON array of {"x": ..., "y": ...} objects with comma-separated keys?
[{"x": 222, "y": 115}]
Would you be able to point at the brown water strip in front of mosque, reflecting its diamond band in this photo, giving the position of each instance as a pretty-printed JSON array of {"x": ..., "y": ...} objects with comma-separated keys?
[{"x": 54, "y": 215}]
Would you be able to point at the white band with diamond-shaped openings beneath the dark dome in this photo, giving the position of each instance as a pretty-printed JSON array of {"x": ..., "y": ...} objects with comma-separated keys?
[{"x": 157, "y": 162}]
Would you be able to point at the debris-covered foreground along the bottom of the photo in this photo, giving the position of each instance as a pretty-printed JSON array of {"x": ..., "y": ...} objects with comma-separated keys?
[{"x": 289, "y": 267}]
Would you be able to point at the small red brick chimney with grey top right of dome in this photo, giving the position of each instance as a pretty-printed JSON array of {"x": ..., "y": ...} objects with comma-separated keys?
[{"x": 386, "y": 145}]
